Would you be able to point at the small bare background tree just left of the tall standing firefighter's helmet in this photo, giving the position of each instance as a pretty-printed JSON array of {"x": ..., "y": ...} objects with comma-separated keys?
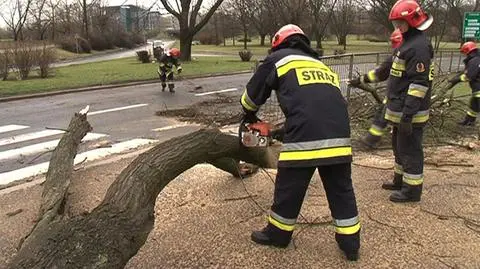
[{"x": 343, "y": 18}]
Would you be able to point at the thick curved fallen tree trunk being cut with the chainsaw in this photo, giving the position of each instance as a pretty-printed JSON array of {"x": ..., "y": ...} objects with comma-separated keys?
[{"x": 116, "y": 229}]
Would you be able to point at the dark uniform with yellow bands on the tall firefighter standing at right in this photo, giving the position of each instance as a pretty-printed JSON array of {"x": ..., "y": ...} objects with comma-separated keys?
[{"x": 409, "y": 91}]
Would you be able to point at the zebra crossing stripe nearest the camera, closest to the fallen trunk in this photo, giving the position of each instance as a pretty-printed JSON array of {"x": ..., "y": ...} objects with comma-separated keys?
[{"x": 12, "y": 176}]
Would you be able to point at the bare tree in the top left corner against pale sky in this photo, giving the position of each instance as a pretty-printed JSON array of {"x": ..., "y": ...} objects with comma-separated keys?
[{"x": 15, "y": 16}]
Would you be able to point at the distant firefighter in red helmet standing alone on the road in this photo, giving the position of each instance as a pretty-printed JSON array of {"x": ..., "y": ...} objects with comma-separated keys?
[{"x": 167, "y": 62}]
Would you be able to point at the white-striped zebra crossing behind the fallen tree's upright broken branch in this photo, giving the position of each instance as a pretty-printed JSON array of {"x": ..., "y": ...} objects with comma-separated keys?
[{"x": 21, "y": 142}]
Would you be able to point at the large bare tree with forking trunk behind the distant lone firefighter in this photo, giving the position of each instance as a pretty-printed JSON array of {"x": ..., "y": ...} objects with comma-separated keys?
[{"x": 187, "y": 11}]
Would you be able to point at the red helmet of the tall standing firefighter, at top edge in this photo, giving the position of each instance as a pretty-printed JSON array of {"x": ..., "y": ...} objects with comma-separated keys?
[{"x": 411, "y": 12}]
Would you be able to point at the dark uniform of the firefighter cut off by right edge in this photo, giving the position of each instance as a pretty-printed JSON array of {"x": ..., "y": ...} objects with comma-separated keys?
[{"x": 472, "y": 75}]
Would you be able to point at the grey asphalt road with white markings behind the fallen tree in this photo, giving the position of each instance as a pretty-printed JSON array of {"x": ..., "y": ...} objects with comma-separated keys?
[{"x": 120, "y": 115}]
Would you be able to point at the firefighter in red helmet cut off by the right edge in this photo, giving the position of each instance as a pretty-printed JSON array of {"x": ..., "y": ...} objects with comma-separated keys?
[{"x": 470, "y": 74}]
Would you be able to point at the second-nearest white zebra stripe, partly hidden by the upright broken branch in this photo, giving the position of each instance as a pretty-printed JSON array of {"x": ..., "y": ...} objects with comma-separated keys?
[{"x": 41, "y": 147}]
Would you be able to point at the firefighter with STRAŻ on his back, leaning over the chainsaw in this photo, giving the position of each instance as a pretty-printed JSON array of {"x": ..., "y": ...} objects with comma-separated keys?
[{"x": 317, "y": 136}]
